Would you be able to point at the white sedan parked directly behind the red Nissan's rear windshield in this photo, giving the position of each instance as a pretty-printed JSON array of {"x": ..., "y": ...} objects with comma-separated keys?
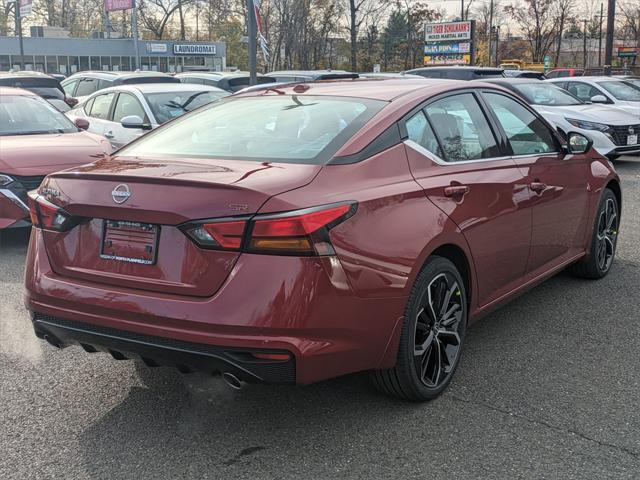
[{"x": 124, "y": 113}]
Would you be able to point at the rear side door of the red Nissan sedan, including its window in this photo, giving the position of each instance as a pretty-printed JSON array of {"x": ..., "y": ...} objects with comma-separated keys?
[{"x": 455, "y": 156}]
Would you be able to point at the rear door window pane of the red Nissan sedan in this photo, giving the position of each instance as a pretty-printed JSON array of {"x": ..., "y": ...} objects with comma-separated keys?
[{"x": 462, "y": 128}]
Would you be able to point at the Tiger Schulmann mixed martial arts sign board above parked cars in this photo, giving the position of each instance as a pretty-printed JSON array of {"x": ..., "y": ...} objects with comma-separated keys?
[{"x": 449, "y": 43}]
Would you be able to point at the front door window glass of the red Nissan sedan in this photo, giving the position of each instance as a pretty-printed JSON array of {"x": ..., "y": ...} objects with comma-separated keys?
[{"x": 526, "y": 132}]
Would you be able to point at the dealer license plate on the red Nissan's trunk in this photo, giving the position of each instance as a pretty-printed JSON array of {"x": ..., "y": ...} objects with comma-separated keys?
[{"x": 130, "y": 242}]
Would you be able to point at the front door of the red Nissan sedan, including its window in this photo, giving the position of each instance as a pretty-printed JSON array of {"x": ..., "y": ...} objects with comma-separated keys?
[{"x": 557, "y": 183}]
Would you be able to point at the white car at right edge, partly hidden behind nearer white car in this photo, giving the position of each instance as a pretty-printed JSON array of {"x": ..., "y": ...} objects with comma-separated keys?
[{"x": 608, "y": 90}]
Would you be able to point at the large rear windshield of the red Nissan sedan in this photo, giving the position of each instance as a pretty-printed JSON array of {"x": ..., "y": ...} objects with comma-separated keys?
[{"x": 283, "y": 128}]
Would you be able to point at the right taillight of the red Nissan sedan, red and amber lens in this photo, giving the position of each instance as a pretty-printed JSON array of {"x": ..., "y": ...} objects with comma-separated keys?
[{"x": 303, "y": 232}]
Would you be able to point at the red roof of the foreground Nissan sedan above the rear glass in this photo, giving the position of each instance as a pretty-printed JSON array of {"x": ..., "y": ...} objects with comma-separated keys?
[{"x": 386, "y": 89}]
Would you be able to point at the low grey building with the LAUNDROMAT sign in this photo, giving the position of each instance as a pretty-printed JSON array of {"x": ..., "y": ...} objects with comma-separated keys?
[{"x": 70, "y": 55}]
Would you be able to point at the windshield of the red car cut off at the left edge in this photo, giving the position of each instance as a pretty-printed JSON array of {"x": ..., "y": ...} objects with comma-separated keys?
[{"x": 31, "y": 115}]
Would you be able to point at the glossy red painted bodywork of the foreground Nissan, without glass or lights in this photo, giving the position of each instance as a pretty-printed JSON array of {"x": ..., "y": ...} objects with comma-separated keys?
[{"x": 336, "y": 314}]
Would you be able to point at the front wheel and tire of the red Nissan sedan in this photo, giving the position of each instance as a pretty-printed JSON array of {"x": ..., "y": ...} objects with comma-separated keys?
[{"x": 604, "y": 239}]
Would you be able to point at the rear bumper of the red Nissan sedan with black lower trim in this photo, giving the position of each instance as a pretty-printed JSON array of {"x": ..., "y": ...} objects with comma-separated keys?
[{"x": 303, "y": 306}]
